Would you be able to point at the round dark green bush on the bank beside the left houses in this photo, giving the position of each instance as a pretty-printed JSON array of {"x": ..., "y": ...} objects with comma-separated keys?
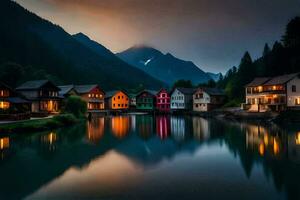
[{"x": 76, "y": 106}]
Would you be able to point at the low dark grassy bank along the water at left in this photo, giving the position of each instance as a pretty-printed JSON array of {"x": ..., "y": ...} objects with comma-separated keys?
[{"x": 40, "y": 125}]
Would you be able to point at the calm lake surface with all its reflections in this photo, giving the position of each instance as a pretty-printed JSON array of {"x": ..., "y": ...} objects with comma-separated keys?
[{"x": 145, "y": 157}]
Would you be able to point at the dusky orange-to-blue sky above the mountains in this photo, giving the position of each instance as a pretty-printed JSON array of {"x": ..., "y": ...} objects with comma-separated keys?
[{"x": 214, "y": 34}]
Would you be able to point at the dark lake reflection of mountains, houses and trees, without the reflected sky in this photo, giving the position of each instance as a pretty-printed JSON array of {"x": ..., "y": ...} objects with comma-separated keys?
[{"x": 29, "y": 162}]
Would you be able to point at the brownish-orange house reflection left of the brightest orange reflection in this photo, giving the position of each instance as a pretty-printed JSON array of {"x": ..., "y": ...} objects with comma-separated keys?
[{"x": 95, "y": 129}]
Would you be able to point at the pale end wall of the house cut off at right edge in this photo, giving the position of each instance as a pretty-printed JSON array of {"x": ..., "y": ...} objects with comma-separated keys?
[{"x": 293, "y": 96}]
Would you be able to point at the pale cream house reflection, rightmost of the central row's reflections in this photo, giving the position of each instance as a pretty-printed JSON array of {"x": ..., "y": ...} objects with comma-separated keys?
[{"x": 201, "y": 128}]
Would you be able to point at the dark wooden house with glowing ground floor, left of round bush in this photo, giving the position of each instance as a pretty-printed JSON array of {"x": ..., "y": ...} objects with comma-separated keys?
[{"x": 43, "y": 95}]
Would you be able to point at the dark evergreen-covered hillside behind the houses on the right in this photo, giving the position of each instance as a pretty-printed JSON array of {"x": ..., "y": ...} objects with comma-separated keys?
[{"x": 282, "y": 58}]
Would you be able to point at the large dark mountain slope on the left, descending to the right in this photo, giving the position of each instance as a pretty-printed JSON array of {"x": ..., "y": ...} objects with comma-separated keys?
[{"x": 41, "y": 49}]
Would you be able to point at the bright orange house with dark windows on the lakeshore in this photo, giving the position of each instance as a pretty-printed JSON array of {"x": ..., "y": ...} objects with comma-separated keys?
[{"x": 116, "y": 100}]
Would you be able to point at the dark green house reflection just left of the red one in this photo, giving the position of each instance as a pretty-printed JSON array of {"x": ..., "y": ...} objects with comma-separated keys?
[{"x": 144, "y": 125}]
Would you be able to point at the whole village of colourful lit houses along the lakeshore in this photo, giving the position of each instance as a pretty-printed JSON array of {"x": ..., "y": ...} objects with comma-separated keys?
[{"x": 41, "y": 98}]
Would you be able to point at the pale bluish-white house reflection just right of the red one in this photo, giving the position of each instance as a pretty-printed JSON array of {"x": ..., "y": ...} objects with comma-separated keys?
[{"x": 179, "y": 128}]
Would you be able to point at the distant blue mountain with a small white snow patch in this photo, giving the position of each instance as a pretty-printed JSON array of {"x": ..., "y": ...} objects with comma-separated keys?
[{"x": 164, "y": 67}]
